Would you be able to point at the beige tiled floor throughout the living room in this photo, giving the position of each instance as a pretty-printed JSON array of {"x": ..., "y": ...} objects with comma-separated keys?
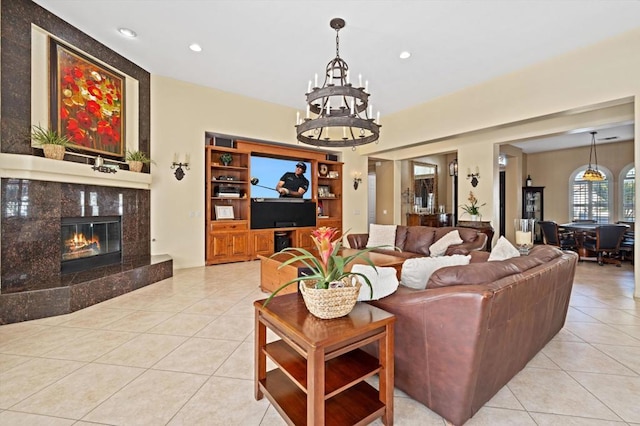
[{"x": 179, "y": 352}]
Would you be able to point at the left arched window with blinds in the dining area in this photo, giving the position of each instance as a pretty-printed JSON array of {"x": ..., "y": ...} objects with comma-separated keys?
[{"x": 590, "y": 200}]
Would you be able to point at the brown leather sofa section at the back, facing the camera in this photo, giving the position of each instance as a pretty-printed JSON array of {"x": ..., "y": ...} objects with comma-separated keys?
[{"x": 414, "y": 241}]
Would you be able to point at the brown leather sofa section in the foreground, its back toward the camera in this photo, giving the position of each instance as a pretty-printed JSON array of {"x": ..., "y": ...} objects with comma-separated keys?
[{"x": 459, "y": 341}]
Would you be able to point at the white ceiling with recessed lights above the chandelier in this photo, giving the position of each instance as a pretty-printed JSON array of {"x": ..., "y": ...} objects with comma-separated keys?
[{"x": 270, "y": 49}]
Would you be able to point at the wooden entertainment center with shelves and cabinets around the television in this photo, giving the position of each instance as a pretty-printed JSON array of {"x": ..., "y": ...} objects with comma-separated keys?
[{"x": 229, "y": 237}]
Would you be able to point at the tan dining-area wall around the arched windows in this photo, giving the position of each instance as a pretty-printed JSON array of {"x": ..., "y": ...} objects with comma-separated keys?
[{"x": 553, "y": 170}]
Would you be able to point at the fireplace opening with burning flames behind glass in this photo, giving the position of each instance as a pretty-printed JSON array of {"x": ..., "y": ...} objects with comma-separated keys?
[{"x": 90, "y": 242}]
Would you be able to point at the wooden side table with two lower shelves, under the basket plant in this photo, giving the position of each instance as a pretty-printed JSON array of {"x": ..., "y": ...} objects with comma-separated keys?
[{"x": 321, "y": 370}]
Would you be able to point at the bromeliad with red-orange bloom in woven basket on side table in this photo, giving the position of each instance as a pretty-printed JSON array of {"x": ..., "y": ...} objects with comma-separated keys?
[{"x": 328, "y": 278}]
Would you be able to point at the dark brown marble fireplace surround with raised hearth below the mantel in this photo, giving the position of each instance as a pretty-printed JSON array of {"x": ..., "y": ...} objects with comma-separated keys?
[{"x": 36, "y": 220}]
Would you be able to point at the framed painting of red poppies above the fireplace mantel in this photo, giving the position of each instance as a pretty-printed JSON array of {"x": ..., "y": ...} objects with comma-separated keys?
[{"x": 87, "y": 102}]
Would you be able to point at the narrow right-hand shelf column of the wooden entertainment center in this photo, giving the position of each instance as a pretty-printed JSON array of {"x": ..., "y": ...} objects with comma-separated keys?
[{"x": 329, "y": 194}]
